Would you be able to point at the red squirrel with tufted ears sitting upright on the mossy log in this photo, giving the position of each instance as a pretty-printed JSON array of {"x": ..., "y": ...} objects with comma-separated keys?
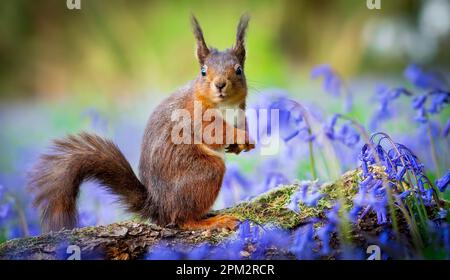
[{"x": 178, "y": 183}]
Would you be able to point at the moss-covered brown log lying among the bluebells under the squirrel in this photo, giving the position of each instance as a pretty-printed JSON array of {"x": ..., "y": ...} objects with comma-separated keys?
[{"x": 133, "y": 239}]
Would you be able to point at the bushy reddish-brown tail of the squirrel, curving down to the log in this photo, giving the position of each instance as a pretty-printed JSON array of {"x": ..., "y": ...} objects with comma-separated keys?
[{"x": 57, "y": 177}]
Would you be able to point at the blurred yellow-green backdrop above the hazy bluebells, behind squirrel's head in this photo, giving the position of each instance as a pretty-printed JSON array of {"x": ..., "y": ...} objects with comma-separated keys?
[{"x": 120, "y": 48}]
